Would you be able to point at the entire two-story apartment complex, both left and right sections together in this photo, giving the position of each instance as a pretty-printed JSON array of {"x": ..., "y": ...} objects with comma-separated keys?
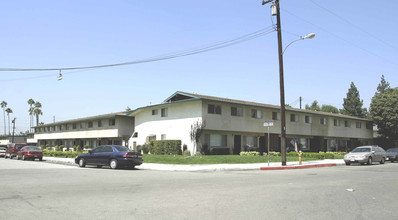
[{"x": 230, "y": 125}]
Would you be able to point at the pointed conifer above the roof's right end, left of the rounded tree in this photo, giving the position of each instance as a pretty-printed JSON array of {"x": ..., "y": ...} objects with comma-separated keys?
[{"x": 353, "y": 104}]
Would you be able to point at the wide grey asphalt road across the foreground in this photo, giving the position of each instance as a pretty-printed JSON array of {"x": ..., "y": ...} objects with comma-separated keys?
[{"x": 39, "y": 190}]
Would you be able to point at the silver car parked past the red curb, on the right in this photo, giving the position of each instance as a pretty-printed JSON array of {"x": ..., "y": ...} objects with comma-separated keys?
[{"x": 365, "y": 154}]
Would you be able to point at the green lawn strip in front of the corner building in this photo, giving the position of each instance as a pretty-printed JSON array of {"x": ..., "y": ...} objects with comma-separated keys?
[{"x": 214, "y": 159}]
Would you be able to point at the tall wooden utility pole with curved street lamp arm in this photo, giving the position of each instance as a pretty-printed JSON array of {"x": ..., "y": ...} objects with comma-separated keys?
[{"x": 276, "y": 11}]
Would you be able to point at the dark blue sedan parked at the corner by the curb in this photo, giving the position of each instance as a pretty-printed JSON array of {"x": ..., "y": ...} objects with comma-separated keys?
[{"x": 114, "y": 156}]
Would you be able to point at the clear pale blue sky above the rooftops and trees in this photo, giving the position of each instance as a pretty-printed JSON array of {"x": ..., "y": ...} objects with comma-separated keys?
[{"x": 355, "y": 42}]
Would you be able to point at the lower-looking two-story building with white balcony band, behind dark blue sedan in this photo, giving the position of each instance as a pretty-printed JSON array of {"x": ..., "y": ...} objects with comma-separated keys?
[{"x": 114, "y": 128}]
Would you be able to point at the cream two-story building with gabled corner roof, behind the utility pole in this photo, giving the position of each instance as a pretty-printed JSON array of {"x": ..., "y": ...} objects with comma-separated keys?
[{"x": 239, "y": 125}]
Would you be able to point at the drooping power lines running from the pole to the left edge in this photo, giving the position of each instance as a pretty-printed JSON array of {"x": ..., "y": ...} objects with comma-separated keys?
[{"x": 173, "y": 55}]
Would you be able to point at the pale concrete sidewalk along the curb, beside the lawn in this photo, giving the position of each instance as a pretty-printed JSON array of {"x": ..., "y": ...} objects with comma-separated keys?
[{"x": 220, "y": 167}]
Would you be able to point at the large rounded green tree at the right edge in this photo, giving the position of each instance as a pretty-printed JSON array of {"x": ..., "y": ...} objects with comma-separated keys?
[{"x": 384, "y": 111}]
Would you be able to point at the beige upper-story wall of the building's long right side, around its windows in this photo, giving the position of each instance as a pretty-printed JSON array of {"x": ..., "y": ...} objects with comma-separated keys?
[{"x": 245, "y": 123}]
